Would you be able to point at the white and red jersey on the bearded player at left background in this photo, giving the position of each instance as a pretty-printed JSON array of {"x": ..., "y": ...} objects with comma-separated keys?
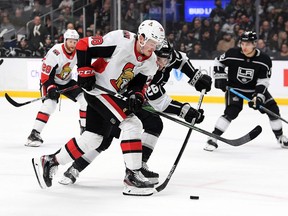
[{"x": 57, "y": 66}]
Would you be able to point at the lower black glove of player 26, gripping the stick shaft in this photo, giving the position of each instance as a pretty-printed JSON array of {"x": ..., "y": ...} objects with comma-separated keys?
[{"x": 189, "y": 113}]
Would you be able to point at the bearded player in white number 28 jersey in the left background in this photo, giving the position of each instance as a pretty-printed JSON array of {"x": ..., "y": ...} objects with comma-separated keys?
[{"x": 56, "y": 74}]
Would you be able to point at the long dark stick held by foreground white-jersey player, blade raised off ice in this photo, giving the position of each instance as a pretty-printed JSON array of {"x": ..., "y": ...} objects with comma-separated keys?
[{"x": 233, "y": 142}]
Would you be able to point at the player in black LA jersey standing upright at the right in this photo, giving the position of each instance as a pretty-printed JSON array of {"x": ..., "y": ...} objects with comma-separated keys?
[{"x": 249, "y": 72}]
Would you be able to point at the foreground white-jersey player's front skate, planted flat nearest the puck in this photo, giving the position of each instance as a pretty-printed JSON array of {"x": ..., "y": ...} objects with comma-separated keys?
[{"x": 135, "y": 184}]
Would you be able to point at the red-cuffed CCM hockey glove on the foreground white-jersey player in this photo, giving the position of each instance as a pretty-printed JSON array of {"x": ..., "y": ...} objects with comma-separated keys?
[{"x": 86, "y": 78}]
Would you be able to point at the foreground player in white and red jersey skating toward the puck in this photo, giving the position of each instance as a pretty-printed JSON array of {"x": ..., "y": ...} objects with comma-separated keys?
[{"x": 123, "y": 58}]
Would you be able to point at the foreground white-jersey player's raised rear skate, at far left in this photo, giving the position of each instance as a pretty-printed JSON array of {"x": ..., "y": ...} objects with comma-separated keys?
[{"x": 45, "y": 168}]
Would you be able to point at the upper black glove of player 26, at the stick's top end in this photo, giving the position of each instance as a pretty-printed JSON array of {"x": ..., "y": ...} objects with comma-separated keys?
[{"x": 201, "y": 81}]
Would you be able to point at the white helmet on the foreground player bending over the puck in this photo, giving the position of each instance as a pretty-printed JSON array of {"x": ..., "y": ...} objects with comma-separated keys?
[{"x": 151, "y": 29}]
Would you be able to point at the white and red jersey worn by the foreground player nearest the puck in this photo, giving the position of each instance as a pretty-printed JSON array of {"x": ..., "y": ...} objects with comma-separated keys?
[{"x": 118, "y": 61}]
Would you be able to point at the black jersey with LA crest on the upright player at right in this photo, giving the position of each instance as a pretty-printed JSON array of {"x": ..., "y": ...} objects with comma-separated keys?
[{"x": 248, "y": 74}]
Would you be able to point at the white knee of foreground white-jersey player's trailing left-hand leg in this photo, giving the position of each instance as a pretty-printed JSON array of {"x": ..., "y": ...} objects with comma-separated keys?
[{"x": 89, "y": 141}]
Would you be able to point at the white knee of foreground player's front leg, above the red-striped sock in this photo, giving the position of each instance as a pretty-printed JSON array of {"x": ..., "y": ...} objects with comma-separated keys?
[{"x": 131, "y": 128}]
